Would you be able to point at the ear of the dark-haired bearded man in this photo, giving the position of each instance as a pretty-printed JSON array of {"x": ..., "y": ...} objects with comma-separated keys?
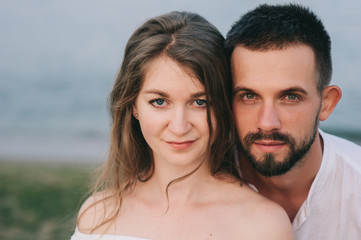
[{"x": 330, "y": 97}]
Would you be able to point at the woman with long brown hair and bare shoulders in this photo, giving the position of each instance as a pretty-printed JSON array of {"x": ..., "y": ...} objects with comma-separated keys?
[{"x": 169, "y": 174}]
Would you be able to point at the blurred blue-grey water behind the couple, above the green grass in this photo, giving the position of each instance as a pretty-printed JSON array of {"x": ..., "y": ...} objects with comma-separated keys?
[{"x": 58, "y": 60}]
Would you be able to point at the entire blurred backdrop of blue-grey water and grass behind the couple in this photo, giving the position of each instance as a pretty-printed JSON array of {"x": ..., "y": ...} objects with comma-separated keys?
[{"x": 58, "y": 61}]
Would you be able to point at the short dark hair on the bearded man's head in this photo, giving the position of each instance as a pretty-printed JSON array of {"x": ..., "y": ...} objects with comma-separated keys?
[{"x": 279, "y": 26}]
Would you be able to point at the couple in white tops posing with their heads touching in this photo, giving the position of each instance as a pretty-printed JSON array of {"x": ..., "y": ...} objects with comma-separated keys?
[{"x": 177, "y": 167}]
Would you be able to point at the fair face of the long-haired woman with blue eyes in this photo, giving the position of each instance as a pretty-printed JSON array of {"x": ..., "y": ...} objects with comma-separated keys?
[{"x": 171, "y": 109}]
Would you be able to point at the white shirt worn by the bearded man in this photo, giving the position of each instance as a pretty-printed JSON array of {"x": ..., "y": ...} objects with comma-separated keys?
[{"x": 332, "y": 209}]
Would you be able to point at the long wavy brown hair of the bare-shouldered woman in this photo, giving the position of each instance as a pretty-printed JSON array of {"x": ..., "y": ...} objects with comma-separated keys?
[{"x": 195, "y": 44}]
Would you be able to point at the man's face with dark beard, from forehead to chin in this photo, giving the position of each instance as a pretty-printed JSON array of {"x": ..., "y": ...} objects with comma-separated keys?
[{"x": 275, "y": 105}]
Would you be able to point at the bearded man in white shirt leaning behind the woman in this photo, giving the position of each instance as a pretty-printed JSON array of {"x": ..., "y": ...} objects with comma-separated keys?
[{"x": 281, "y": 68}]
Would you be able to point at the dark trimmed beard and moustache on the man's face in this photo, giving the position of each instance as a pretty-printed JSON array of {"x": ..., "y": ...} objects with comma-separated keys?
[{"x": 267, "y": 166}]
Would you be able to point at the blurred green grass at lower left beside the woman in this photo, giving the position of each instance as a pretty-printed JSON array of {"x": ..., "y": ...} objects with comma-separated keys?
[{"x": 40, "y": 201}]
